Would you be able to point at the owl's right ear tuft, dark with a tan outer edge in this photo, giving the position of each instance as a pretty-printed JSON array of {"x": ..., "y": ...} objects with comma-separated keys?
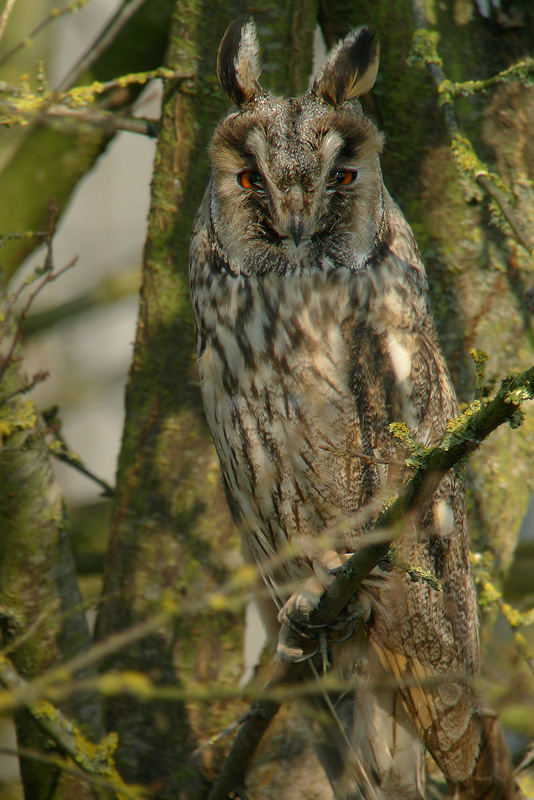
[{"x": 350, "y": 70}]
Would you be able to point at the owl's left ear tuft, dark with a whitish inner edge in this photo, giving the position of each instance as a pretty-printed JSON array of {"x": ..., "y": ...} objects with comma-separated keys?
[{"x": 238, "y": 62}]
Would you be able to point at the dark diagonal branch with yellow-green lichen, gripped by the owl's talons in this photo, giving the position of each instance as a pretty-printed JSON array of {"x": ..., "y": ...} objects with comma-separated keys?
[{"x": 461, "y": 438}]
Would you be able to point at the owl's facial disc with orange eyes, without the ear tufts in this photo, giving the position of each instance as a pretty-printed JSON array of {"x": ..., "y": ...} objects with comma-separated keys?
[{"x": 295, "y": 178}]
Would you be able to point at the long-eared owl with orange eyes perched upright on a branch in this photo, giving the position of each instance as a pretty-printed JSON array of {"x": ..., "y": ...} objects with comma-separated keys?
[{"x": 314, "y": 335}]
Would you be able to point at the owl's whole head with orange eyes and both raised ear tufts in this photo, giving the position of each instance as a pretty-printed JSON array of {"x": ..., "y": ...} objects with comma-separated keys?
[{"x": 296, "y": 180}]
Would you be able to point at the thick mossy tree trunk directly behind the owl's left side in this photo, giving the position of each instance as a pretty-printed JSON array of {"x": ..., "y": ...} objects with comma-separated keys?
[{"x": 172, "y": 529}]
